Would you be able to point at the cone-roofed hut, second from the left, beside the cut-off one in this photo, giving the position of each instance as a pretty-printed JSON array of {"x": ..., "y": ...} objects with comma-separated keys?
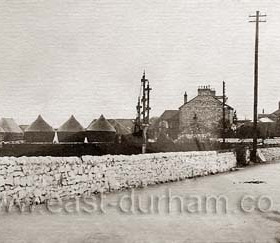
[{"x": 39, "y": 131}]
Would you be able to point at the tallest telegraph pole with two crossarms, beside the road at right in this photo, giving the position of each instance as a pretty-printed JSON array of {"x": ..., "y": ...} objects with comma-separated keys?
[{"x": 257, "y": 20}]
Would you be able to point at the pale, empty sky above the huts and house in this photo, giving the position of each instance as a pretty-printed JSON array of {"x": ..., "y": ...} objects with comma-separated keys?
[{"x": 86, "y": 57}]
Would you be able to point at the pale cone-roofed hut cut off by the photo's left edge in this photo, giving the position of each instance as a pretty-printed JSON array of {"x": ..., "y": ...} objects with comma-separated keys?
[{"x": 11, "y": 129}]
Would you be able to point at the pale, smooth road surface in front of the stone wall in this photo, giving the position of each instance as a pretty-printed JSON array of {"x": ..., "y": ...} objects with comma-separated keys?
[{"x": 247, "y": 210}]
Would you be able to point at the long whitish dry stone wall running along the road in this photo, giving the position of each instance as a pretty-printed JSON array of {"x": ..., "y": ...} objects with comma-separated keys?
[{"x": 32, "y": 180}]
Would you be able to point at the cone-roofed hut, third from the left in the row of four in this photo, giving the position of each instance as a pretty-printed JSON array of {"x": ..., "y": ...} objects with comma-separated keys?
[{"x": 71, "y": 131}]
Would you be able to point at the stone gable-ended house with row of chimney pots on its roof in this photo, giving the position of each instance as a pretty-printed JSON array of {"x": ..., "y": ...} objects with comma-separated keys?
[{"x": 203, "y": 114}]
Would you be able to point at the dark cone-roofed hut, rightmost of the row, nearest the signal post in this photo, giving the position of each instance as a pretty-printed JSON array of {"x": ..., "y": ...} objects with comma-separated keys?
[{"x": 100, "y": 131}]
